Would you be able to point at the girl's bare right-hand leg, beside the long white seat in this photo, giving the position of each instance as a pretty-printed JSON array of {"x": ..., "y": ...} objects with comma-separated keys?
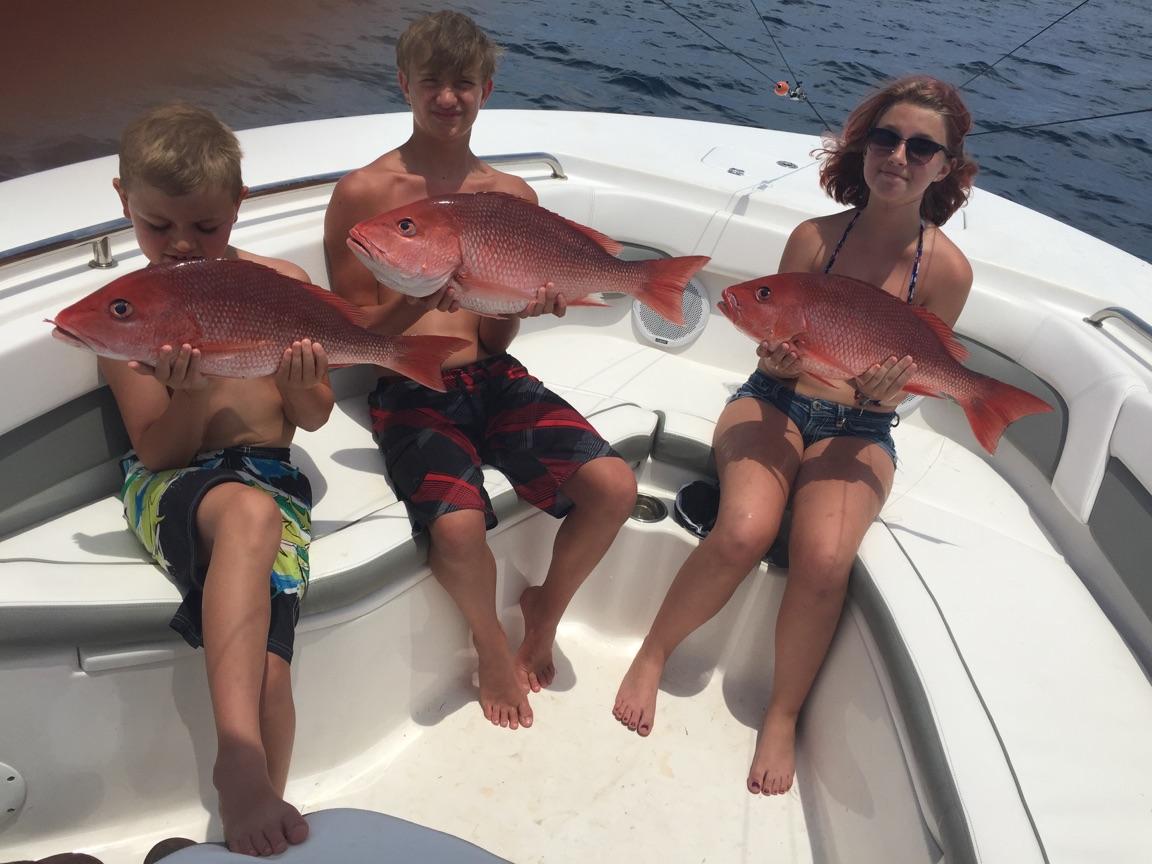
[{"x": 840, "y": 489}]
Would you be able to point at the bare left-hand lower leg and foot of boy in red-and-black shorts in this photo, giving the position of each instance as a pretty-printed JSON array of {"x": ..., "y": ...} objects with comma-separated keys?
[{"x": 464, "y": 564}]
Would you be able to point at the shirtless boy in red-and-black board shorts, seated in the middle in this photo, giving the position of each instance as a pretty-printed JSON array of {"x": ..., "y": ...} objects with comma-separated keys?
[{"x": 434, "y": 444}]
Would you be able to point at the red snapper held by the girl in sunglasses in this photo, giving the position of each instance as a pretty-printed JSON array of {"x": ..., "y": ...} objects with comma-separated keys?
[{"x": 842, "y": 327}]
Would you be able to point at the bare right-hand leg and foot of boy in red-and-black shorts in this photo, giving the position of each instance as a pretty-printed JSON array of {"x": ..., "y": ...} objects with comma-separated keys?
[{"x": 603, "y": 492}]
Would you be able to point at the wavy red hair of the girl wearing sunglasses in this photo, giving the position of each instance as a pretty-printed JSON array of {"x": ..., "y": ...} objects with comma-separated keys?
[{"x": 843, "y": 172}]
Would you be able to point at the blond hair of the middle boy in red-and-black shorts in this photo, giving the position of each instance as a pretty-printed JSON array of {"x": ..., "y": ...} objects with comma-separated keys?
[{"x": 448, "y": 42}]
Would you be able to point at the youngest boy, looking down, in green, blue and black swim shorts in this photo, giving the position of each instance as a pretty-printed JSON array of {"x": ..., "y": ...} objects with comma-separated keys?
[{"x": 209, "y": 488}]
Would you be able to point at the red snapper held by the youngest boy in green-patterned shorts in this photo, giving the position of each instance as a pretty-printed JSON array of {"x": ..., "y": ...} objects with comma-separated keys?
[{"x": 241, "y": 316}]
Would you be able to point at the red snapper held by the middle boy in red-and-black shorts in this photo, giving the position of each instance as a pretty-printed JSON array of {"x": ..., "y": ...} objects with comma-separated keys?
[{"x": 498, "y": 251}]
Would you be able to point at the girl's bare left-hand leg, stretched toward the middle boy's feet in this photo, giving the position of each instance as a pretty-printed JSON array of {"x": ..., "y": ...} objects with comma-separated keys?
[{"x": 759, "y": 452}]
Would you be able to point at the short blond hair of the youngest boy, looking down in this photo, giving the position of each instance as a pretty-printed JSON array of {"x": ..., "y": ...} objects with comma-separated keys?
[{"x": 180, "y": 149}]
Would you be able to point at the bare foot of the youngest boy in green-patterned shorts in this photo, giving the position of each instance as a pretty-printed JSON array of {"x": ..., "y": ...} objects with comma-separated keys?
[{"x": 256, "y": 821}]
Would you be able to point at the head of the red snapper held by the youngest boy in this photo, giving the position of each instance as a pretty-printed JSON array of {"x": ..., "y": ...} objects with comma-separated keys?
[{"x": 130, "y": 319}]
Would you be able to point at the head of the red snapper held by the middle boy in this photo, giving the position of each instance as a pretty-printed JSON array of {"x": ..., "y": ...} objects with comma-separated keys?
[{"x": 414, "y": 249}]
